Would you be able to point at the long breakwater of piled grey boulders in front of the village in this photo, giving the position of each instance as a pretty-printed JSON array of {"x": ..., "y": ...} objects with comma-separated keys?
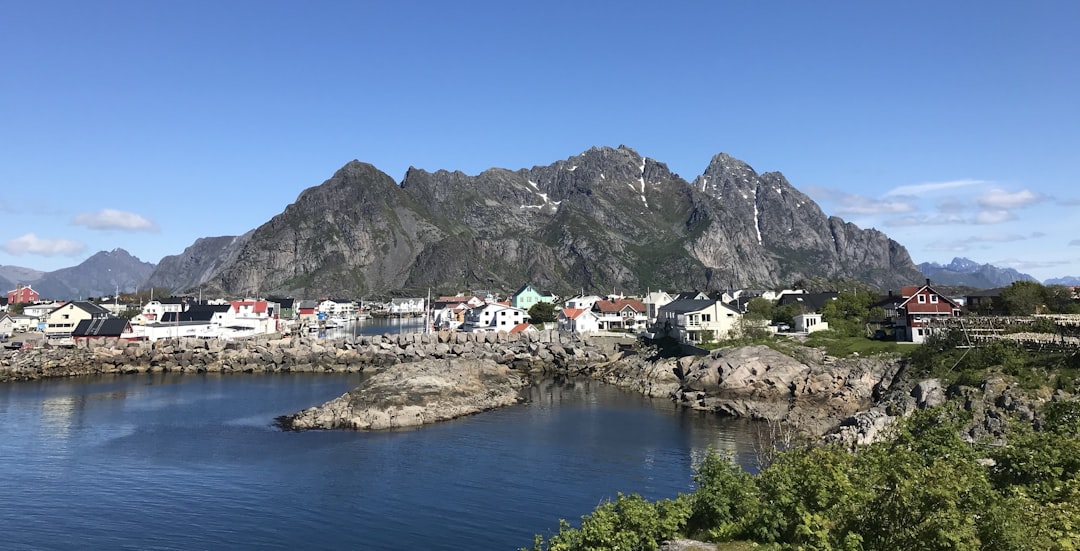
[{"x": 536, "y": 352}]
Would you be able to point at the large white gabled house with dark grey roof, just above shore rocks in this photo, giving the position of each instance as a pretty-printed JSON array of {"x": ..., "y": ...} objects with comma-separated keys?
[{"x": 697, "y": 321}]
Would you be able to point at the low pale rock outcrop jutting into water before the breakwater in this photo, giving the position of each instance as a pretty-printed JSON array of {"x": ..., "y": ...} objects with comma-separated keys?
[{"x": 416, "y": 394}]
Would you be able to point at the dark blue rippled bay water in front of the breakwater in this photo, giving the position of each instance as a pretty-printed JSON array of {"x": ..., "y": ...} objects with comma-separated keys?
[{"x": 193, "y": 462}]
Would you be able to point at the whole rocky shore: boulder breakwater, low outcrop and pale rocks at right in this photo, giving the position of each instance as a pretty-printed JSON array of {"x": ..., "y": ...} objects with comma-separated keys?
[{"x": 427, "y": 379}]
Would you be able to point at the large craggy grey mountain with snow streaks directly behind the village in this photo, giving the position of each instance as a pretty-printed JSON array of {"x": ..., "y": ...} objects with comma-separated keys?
[{"x": 606, "y": 219}]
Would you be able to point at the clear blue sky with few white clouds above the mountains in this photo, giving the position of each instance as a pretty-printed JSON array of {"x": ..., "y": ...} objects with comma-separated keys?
[{"x": 952, "y": 127}]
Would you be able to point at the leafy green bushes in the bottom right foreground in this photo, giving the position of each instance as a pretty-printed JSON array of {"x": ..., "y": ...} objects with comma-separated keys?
[{"x": 925, "y": 489}]
